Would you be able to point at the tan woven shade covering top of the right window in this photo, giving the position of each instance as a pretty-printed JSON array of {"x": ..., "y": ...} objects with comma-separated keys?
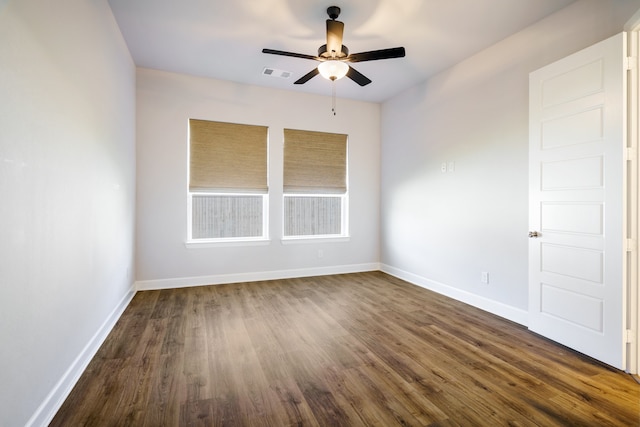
[{"x": 315, "y": 162}]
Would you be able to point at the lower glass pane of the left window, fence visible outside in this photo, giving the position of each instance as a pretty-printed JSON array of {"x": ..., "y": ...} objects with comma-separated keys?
[{"x": 223, "y": 216}]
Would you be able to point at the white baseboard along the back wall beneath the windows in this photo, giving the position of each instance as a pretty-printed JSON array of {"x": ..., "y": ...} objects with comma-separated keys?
[{"x": 184, "y": 282}]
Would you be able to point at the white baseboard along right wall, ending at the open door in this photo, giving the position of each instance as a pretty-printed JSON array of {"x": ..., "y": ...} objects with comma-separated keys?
[{"x": 499, "y": 309}]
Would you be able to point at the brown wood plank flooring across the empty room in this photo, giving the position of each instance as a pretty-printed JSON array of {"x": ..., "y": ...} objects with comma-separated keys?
[{"x": 347, "y": 350}]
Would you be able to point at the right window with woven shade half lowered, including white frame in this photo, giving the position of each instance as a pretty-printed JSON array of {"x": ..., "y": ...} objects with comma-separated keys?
[{"x": 315, "y": 184}]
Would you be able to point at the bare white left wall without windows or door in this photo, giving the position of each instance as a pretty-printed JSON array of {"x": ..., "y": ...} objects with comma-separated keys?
[{"x": 67, "y": 129}]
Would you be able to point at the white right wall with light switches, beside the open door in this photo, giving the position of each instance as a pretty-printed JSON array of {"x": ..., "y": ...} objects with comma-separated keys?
[{"x": 441, "y": 230}]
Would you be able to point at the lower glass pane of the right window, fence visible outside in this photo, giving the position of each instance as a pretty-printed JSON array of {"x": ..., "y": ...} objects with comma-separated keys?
[{"x": 312, "y": 216}]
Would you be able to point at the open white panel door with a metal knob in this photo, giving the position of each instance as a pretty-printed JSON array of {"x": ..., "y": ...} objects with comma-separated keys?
[{"x": 577, "y": 171}]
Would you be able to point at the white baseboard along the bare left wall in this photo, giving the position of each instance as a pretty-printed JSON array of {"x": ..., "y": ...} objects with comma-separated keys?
[{"x": 54, "y": 400}]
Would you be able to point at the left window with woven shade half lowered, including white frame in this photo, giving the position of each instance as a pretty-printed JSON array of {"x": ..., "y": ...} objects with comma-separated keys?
[{"x": 227, "y": 181}]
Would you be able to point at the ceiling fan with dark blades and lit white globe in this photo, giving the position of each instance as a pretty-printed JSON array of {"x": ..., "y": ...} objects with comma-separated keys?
[{"x": 334, "y": 56}]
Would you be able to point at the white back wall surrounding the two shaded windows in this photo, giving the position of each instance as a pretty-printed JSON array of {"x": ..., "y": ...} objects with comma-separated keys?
[{"x": 165, "y": 102}]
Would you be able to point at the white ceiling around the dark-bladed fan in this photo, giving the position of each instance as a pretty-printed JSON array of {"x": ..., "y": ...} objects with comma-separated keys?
[{"x": 224, "y": 39}]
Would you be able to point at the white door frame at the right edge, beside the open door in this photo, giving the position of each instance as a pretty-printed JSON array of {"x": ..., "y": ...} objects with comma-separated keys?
[{"x": 632, "y": 209}]
